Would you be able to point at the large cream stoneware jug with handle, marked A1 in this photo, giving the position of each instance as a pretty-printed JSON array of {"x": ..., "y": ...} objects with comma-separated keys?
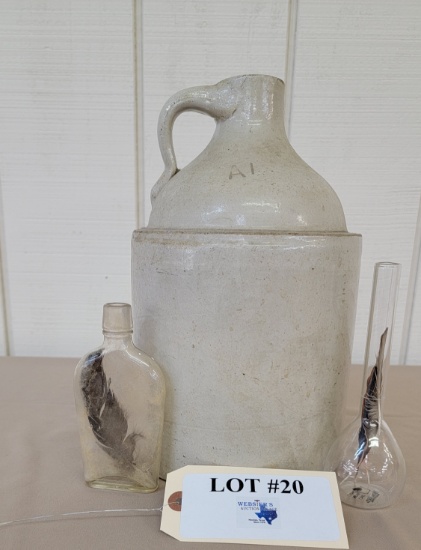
[{"x": 244, "y": 288}]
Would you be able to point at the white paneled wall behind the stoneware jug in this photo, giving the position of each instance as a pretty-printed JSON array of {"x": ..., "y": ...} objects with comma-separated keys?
[{"x": 81, "y": 86}]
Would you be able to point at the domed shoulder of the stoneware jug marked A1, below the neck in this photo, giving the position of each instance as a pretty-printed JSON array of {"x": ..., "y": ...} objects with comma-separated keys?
[{"x": 248, "y": 190}]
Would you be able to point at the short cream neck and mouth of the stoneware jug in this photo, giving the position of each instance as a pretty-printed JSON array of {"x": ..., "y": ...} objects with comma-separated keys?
[{"x": 259, "y": 102}]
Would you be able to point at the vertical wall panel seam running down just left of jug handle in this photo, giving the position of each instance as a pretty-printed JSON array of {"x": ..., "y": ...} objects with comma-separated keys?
[{"x": 138, "y": 112}]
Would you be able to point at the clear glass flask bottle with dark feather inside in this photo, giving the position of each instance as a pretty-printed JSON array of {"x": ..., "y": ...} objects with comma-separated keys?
[{"x": 119, "y": 396}]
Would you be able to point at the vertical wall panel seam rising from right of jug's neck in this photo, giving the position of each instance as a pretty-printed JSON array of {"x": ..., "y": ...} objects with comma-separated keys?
[{"x": 290, "y": 63}]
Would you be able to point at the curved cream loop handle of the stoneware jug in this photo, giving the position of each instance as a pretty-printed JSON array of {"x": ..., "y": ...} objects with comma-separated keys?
[{"x": 209, "y": 100}]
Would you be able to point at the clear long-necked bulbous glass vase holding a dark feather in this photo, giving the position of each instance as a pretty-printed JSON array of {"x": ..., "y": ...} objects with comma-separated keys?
[{"x": 367, "y": 460}]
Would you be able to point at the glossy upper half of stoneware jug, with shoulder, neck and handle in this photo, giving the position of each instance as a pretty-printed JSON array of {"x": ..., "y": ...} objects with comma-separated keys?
[{"x": 248, "y": 176}]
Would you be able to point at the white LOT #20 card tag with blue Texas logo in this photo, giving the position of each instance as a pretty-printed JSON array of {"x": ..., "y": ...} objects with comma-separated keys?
[{"x": 254, "y": 506}]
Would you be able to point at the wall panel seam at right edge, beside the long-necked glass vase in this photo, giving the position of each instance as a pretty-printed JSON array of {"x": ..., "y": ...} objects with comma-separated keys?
[{"x": 412, "y": 287}]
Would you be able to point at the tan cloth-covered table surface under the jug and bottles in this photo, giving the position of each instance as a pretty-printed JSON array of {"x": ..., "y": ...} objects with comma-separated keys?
[{"x": 41, "y": 470}]
